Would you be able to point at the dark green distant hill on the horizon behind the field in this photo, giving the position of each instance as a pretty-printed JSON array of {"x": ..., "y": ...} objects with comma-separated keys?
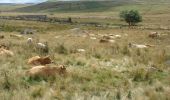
[{"x": 67, "y": 6}]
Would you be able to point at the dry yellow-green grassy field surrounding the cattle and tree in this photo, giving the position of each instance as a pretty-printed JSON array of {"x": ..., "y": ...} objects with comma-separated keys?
[{"x": 104, "y": 71}]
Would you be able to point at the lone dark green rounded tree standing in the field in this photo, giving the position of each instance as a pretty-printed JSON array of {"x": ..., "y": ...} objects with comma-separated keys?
[{"x": 131, "y": 17}]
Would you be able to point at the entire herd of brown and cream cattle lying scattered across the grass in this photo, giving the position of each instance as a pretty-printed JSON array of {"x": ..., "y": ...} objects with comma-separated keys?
[{"x": 43, "y": 65}]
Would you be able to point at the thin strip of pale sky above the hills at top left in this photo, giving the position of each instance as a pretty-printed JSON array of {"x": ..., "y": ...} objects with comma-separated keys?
[{"x": 21, "y": 1}]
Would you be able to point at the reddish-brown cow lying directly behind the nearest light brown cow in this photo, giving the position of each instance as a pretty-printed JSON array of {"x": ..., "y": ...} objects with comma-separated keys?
[{"x": 37, "y": 60}]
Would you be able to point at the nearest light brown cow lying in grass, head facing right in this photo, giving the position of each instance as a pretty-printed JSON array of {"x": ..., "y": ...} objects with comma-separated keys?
[{"x": 45, "y": 71}]
